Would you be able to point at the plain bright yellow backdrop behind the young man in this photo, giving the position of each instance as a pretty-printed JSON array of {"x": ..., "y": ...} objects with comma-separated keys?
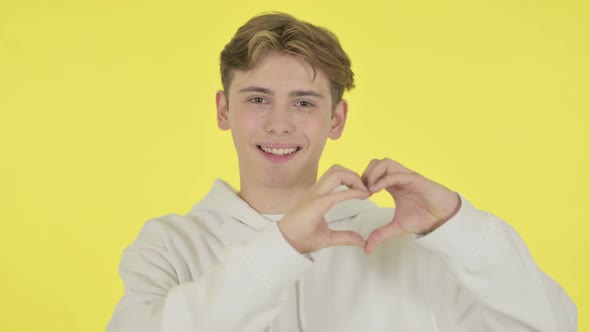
[{"x": 108, "y": 119}]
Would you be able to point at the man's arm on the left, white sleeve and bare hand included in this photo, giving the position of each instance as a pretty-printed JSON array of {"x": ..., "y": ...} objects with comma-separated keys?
[{"x": 246, "y": 290}]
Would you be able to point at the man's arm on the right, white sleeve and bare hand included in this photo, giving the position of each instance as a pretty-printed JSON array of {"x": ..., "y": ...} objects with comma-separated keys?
[{"x": 494, "y": 284}]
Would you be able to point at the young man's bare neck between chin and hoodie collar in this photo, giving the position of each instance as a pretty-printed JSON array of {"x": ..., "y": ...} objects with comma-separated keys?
[{"x": 273, "y": 199}]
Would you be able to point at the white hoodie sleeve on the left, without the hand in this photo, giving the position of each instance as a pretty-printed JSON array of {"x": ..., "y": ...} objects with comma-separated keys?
[{"x": 244, "y": 292}]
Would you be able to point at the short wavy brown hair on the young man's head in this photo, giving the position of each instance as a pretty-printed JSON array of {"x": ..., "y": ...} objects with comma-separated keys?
[{"x": 286, "y": 34}]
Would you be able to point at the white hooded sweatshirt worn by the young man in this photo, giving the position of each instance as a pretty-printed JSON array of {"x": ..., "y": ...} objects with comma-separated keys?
[{"x": 224, "y": 267}]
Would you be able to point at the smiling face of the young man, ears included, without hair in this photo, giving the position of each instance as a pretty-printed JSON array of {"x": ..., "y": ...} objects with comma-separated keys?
[{"x": 280, "y": 117}]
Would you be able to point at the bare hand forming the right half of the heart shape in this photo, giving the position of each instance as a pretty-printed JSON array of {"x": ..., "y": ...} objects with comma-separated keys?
[{"x": 421, "y": 204}]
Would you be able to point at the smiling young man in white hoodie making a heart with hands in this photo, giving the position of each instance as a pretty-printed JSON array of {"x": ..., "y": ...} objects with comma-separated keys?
[{"x": 288, "y": 251}]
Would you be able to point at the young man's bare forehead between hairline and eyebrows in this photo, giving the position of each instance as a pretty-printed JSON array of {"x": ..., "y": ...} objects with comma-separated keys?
[{"x": 281, "y": 73}]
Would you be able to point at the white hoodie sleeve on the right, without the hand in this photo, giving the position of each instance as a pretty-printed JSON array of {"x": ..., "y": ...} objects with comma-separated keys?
[{"x": 488, "y": 279}]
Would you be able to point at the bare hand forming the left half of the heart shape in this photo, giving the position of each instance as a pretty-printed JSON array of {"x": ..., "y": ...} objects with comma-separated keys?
[{"x": 305, "y": 228}]
